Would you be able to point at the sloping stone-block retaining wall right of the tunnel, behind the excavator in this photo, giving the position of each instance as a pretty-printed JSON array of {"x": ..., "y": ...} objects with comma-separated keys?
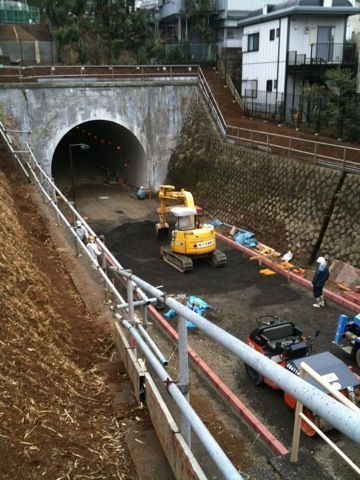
[{"x": 283, "y": 201}]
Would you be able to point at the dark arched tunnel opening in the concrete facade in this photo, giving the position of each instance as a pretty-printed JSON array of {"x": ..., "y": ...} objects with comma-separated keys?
[{"x": 98, "y": 152}]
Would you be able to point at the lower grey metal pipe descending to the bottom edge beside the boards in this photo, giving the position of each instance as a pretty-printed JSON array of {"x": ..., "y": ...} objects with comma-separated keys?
[{"x": 212, "y": 447}]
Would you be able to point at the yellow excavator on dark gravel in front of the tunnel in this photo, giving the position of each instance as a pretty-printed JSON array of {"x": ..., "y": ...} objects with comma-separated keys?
[{"x": 189, "y": 238}]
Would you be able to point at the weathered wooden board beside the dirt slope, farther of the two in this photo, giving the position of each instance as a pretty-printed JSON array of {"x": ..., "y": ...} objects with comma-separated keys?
[{"x": 134, "y": 369}]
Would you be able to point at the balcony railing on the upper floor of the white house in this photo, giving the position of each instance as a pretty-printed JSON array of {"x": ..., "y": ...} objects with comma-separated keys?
[{"x": 324, "y": 54}]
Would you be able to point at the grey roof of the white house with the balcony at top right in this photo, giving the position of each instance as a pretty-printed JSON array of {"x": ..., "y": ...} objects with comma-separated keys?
[{"x": 269, "y": 12}]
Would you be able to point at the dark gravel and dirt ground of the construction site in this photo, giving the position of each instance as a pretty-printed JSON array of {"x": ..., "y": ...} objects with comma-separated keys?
[{"x": 239, "y": 295}]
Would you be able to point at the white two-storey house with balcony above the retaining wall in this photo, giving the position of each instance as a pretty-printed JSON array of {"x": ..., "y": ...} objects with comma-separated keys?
[{"x": 287, "y": 45}]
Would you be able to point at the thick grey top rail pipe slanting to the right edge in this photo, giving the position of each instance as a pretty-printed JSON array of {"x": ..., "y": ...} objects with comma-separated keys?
[{"x": 339, "y": 416}]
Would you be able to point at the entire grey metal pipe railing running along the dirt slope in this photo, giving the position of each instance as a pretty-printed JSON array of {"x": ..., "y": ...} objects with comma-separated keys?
[{"x": 345, "y": 420}]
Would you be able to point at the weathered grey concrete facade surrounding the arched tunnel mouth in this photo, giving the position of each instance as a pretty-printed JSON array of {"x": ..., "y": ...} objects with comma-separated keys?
[{"x": 152, "y": 112}]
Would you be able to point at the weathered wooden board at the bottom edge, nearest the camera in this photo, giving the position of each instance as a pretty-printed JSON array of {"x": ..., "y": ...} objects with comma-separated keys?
[{"x": 179, "y": 455}]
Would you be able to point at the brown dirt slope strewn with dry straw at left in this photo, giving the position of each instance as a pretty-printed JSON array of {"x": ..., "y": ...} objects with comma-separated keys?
[{"x": 57, "y": 420}]
